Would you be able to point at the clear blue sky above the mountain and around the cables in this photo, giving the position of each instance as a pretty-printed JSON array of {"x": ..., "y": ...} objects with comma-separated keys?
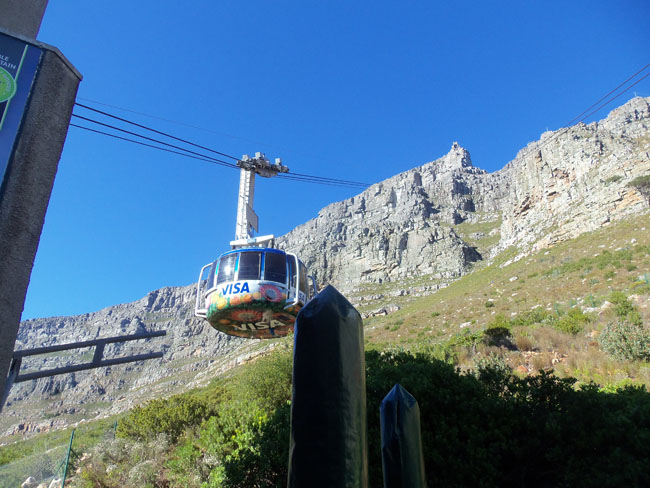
[{"x": 353, "y": 90}]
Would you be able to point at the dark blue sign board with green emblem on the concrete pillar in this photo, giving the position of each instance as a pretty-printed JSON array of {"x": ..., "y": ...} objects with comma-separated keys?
[{"x": 19, "y": 64}]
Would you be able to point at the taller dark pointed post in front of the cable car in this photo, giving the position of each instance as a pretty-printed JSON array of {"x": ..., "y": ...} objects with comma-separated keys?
[{"x": 328, "y": 445}]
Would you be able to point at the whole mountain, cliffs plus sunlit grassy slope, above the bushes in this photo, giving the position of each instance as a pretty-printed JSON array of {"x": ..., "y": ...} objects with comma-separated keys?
[{"x": 432, "y": 257}]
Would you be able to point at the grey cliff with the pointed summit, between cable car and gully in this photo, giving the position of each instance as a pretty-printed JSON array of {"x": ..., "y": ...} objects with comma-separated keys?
[{"x": 400, "y": 227}]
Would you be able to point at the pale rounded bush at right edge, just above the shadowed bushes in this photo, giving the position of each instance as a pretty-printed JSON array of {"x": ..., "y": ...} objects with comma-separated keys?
[{"x": 626, "y": 341}]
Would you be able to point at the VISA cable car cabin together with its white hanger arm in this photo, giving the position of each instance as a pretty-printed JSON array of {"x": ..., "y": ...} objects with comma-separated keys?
[{"x": 253, "y": 290}]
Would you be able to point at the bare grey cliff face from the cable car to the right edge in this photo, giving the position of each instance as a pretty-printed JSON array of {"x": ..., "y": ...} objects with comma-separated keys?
[{"x": 569, "y": 182}]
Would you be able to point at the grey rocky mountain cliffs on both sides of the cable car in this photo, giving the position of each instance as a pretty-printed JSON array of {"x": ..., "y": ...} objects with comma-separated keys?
[{"x": 432, "y": 222}]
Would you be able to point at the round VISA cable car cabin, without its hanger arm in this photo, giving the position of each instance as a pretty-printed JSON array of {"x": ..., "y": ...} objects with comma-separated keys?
[{"x": 253, "y": 292}]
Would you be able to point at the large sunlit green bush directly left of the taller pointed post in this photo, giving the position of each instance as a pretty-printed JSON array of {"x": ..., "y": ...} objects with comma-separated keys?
[{"x": 245, "y": 442}]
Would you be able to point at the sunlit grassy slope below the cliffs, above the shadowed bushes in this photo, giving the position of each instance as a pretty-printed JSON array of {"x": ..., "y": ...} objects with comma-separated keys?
[{"x": 578, "y": 273}]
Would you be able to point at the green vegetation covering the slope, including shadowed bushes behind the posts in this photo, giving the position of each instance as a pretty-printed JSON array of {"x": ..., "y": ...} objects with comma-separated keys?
[{"x": 530, "y": 371}]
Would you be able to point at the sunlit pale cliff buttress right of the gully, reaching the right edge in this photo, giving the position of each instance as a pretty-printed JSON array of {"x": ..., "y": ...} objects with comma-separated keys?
[{"x": 576, "y": 180}]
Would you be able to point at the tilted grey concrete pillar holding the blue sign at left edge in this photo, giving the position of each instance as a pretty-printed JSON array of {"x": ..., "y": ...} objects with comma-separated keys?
[{"x": 30, "y": 169}]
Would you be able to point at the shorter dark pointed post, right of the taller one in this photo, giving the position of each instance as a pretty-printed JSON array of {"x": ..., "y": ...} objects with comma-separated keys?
[{"x": 401, "y": 442}]
